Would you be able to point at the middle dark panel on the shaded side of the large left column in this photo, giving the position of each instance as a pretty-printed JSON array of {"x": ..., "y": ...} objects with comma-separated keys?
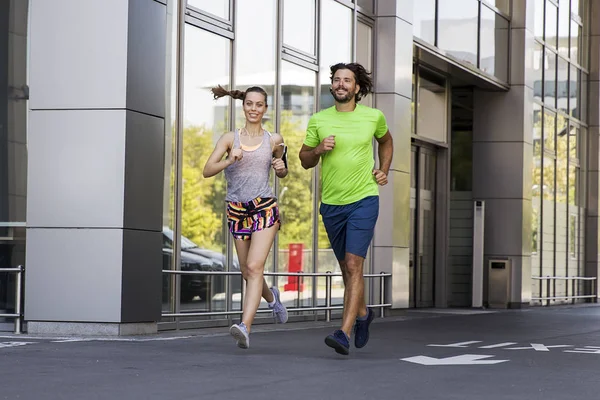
[{"x": 144, "y": 162}]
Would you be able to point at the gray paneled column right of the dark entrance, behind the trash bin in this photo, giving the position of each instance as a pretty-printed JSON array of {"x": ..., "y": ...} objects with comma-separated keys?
[{"x": 502, "y": 158}]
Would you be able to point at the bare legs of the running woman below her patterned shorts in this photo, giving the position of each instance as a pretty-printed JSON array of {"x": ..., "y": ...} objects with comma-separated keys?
[{"x": 256, "y": 287}]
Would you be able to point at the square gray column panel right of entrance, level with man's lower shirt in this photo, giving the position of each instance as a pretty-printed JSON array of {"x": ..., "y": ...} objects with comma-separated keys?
[{"x": 498, "y": 170}]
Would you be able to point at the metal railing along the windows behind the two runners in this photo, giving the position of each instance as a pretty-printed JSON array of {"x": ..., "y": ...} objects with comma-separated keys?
[{"x": 301, "y": 275}]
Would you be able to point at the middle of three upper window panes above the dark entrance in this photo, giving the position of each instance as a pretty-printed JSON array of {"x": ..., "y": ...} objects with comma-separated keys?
[{"x": 457, "y": 29}]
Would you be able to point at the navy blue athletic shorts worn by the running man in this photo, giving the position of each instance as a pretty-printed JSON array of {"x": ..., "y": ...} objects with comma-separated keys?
[{"x": 350, "y": 227}]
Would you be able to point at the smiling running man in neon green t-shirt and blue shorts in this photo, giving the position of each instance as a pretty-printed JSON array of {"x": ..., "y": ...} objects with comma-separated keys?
[{"x": 342, "y": 136}]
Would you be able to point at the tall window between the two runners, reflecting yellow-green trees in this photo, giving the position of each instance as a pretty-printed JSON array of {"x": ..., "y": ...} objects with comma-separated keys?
[{"x": 295, "y": 191}]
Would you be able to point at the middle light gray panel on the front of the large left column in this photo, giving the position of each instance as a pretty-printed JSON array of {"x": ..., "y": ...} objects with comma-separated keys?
[{"x": 76, "y": 168}]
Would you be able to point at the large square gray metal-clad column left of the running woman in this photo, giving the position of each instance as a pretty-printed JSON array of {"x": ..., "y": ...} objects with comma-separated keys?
[{"x": 95, "y": 170}]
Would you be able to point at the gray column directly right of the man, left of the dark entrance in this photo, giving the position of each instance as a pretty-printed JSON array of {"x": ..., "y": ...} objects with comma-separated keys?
[{"x": 393, "y": 79}]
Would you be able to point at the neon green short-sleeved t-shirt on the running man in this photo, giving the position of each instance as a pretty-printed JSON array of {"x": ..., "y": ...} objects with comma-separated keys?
[{"x": 347, "y": 171}]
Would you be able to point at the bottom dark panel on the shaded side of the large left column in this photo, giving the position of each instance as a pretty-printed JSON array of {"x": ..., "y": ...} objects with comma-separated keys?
[{"x": 141, "y": 296}]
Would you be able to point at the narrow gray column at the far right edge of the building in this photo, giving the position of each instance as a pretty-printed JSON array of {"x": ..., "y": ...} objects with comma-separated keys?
[{"x": 593, "y": 175}]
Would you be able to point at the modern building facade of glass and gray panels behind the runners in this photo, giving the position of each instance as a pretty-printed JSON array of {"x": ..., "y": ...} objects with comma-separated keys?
[{"x": 104, "y": 133}]
